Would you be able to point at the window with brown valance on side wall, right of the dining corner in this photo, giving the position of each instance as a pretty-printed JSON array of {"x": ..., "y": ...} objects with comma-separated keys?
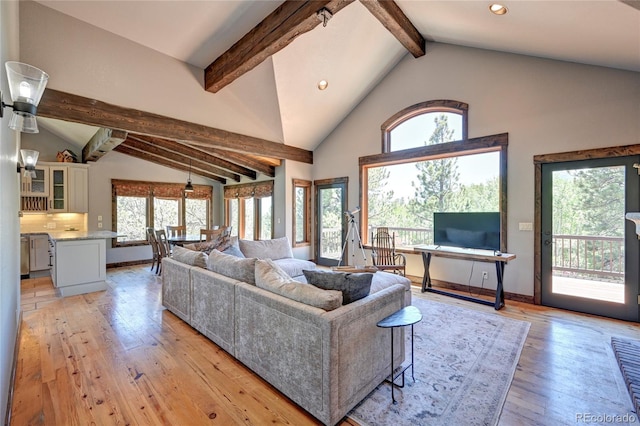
[{"x": 249, "y": 210}]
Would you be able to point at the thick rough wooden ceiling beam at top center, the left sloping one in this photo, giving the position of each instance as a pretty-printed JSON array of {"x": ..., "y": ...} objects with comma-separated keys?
[{"x": 291, "y": 19}]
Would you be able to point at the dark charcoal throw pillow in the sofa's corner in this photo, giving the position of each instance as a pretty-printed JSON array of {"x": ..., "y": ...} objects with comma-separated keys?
[{"x": 354, "y": 286}]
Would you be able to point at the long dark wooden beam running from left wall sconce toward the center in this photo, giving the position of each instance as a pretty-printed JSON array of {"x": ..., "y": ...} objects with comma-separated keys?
[{"x": 66, "y": 106}]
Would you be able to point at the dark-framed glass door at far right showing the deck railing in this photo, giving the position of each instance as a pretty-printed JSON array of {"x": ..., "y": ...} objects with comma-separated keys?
[{"x": 589, "y": 251}]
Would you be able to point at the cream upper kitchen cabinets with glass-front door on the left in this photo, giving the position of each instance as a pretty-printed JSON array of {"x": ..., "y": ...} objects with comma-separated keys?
[{"x": 66, "y": 189}]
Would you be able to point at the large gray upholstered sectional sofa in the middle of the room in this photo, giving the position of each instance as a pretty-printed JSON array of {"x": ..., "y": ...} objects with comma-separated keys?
[{"x": 325, "y": 361}]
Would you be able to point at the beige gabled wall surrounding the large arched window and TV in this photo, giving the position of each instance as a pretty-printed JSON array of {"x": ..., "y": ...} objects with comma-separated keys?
[{"x": 545, "y": 106}]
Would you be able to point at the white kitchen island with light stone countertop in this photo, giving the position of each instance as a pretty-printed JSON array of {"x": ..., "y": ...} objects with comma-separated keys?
[{"x": 79, "y": 261}]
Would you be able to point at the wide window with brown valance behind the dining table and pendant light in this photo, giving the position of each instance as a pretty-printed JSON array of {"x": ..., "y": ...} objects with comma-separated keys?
[{"x": 138, "y": 205}]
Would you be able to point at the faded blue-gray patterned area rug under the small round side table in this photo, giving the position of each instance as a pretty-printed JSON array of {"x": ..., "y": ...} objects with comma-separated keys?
[{"x": 464, "y": 363}]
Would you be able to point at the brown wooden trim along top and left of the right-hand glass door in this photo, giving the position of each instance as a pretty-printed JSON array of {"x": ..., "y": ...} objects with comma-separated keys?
[{"x": 538, "y": 160}]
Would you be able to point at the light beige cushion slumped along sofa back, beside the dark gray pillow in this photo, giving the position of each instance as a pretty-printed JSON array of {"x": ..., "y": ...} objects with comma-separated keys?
[{"x": 271, "y": 277}]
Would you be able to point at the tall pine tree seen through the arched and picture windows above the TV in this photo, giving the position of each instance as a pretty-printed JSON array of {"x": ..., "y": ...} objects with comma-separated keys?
[{"x": 437, "y": 179}]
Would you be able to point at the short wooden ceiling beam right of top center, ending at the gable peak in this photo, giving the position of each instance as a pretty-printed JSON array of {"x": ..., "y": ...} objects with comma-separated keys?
[{"x": 398, "y": 24}]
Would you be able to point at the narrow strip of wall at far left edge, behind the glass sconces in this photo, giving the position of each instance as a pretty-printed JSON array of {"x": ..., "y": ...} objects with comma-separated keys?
[{"x": 9, "y": 207}]
